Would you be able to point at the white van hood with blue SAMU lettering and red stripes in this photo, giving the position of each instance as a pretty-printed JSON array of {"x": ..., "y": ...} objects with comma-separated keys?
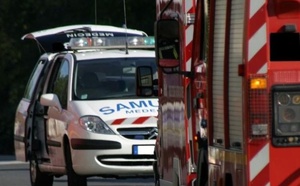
[{"x": 116, "y": 112}]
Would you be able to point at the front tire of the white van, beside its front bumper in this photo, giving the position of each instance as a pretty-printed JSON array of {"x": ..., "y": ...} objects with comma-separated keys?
[{"x": 73, "y": 178}]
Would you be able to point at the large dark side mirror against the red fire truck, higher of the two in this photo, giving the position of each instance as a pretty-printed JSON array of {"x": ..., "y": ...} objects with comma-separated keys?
[{"x": 167, "y": 43}]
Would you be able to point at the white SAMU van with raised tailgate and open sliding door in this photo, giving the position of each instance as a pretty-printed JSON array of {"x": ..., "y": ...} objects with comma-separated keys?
[{"x": 80, "y": 115}]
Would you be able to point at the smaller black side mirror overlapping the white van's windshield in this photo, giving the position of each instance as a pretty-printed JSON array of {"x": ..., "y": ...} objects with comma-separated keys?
[{"x": 144, "y": 81}]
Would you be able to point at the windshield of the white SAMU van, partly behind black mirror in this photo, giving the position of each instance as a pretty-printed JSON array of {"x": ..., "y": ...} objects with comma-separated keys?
[{"x": 108, "y": 78}]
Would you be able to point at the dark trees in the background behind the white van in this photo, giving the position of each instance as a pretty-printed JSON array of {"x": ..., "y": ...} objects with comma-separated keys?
[{"x": 17, "y": 58}]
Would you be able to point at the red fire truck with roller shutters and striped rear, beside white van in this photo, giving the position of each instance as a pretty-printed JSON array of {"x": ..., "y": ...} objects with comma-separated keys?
[{"x": 228, "y": 72}]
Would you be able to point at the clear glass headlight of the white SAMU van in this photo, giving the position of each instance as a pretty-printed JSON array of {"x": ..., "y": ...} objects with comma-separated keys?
[{"x": 94, "y": 124}]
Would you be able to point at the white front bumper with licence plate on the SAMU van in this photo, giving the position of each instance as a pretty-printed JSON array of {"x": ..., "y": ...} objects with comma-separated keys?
[{"x": 113, "y": 158}]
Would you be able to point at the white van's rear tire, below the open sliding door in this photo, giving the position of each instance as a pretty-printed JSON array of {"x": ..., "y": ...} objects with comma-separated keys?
[{"x": 38, "y": 178}]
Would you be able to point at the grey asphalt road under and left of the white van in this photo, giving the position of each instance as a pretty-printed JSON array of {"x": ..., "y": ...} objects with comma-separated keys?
[{"x": 14, "y": 173}]
